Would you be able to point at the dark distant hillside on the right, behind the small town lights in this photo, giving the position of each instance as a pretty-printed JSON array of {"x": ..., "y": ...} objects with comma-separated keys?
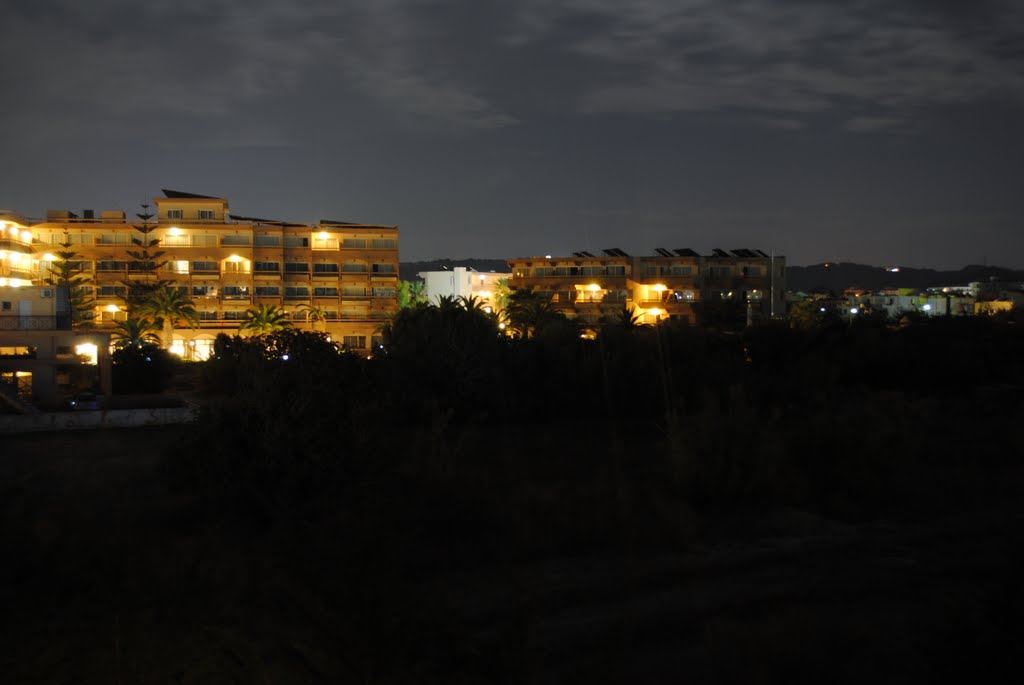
[{"x": 837, "y": 277}]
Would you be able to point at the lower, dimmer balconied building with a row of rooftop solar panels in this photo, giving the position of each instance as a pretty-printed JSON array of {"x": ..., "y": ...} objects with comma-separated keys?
[{"x": 671, "y": 284}]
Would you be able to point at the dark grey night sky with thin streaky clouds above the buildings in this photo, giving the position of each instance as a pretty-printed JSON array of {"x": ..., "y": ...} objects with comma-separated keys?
[{"x": 873, "y": 132}]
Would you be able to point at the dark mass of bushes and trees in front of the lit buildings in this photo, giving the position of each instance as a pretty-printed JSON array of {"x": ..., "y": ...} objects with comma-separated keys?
[{"x": 845, "y": 420}]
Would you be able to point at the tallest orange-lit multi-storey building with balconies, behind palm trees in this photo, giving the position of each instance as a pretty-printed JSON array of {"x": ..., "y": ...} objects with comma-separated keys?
[{"x": 227, "y": 264}]
